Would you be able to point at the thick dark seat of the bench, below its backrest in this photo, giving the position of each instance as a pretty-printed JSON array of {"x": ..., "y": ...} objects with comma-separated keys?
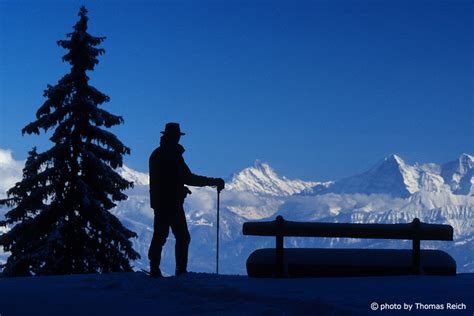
[{"x": 316, "y": 262}]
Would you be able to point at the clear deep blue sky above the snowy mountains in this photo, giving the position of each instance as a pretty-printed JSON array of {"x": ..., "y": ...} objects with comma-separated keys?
[{"x": 319, "y": 90}]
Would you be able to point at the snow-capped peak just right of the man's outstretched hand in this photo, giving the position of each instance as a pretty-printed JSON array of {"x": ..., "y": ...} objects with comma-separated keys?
[{"x": 261, "y": 178}]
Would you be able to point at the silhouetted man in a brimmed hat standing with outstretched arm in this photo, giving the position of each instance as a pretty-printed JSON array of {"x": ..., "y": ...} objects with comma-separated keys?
[{"x": 168, "y": 176}]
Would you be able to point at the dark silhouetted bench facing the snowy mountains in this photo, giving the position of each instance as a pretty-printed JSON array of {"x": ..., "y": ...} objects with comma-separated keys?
[{"x": 307, "y": 262}]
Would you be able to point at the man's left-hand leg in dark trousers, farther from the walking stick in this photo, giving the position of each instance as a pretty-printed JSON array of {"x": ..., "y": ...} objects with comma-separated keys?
[{"x": 160, "y": 234}]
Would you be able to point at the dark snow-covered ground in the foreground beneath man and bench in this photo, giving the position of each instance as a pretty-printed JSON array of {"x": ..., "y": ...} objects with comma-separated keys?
[{"x": 200, "y": 293}]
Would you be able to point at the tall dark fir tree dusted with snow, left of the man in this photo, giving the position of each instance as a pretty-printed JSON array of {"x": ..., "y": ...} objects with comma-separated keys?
[{"x": 59, "y": 217}]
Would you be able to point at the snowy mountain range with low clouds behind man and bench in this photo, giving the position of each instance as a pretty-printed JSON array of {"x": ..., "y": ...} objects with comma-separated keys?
[{"x": 392, "y": 191}]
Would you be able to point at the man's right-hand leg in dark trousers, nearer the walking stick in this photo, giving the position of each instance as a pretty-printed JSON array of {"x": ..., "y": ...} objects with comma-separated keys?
[{"x": 181, "y": 233}]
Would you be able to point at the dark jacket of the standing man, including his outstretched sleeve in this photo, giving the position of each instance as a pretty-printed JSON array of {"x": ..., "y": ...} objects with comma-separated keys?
[{"x": 168, "y": 176}]
